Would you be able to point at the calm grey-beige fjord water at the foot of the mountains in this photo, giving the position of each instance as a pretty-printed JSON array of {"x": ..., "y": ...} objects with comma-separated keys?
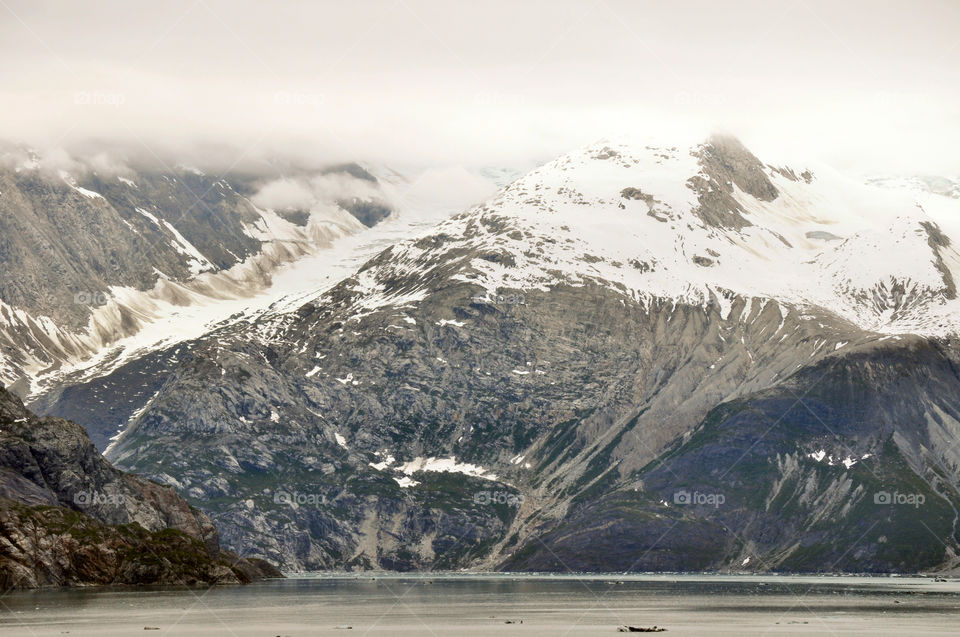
[{"x": 461, "y": 605}]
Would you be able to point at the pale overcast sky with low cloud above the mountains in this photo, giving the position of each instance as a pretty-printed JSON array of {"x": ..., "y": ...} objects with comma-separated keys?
[{"x": 867, "y": 85}]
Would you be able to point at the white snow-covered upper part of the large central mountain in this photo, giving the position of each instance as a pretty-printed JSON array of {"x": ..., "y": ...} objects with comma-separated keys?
[{"x": 703, "y": 225}]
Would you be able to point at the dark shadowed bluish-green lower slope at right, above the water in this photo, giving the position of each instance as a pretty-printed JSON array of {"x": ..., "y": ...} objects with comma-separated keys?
[{"x": 848, "y": 465}]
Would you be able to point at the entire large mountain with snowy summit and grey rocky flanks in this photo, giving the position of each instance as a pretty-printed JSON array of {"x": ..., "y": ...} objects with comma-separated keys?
[{"x": 635, "y": 357}]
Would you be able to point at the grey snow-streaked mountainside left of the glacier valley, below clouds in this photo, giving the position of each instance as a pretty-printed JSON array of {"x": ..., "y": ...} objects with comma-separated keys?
[{"x": 92, "y": 253}]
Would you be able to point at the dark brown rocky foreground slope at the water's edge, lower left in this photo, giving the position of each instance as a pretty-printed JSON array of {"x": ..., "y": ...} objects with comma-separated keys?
[{"x": 68, "y": 518}]
